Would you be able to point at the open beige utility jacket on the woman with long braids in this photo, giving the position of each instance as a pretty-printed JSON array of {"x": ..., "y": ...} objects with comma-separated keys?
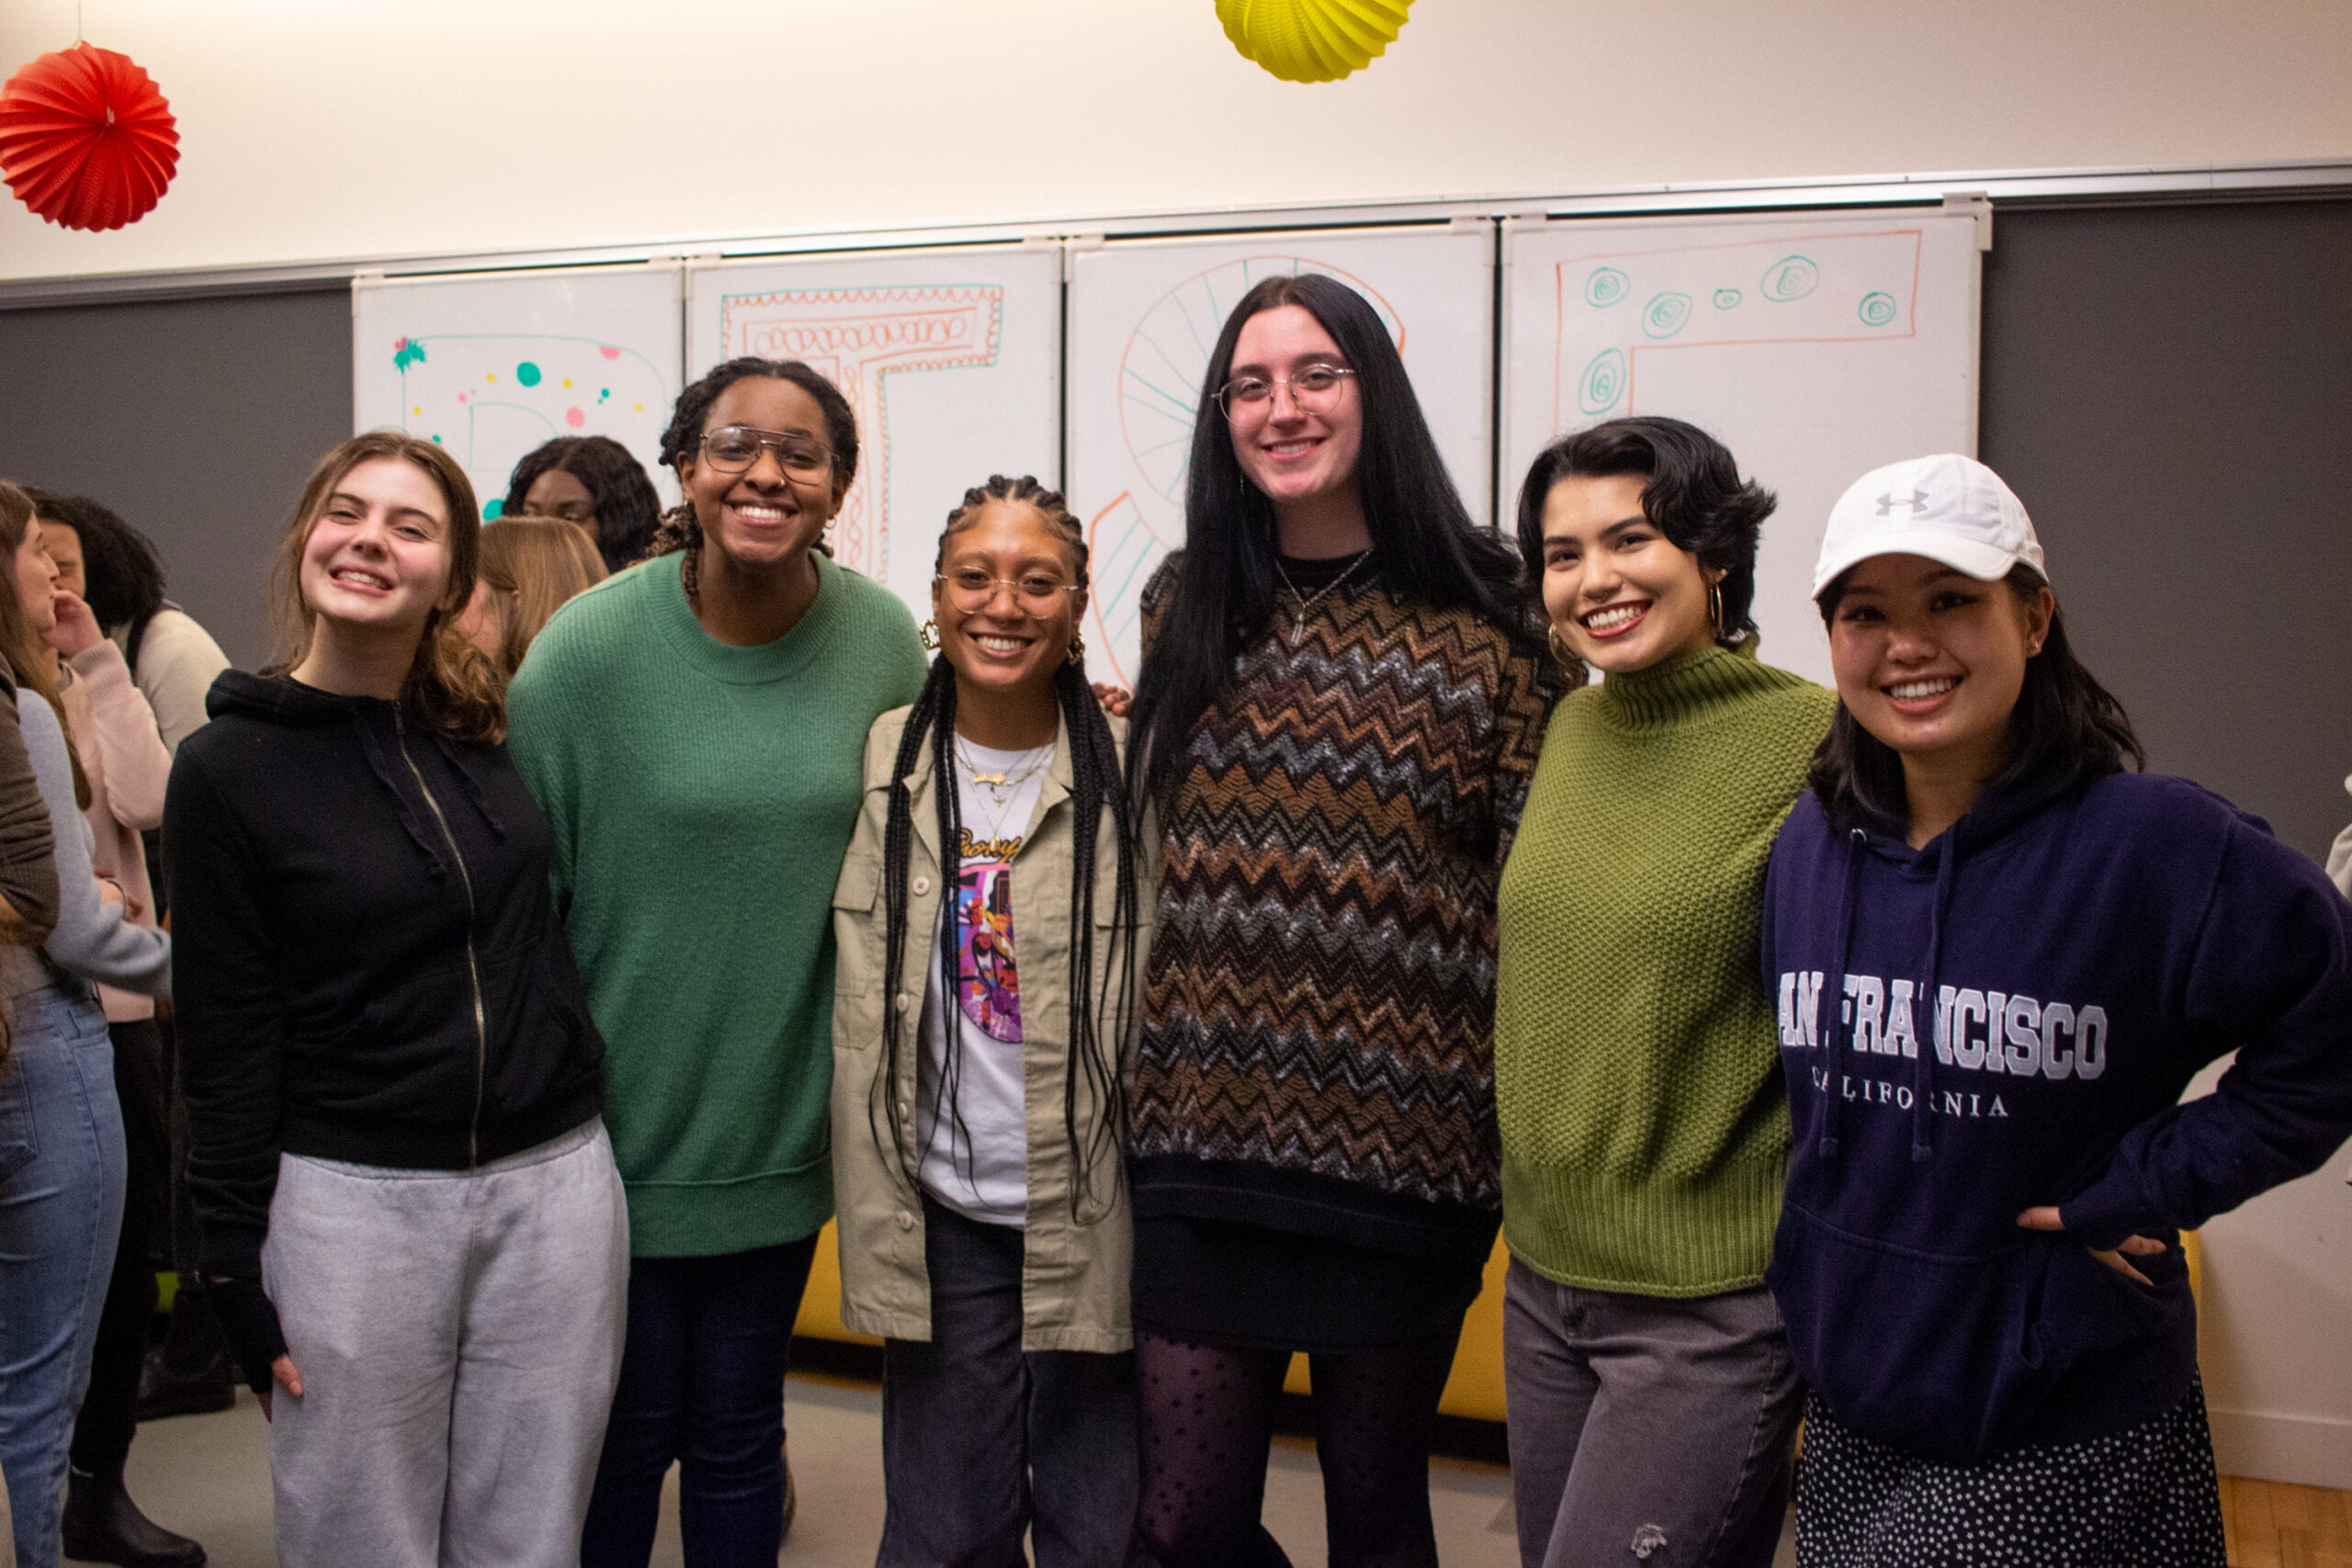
[{"x": 1074, "y": 1275}]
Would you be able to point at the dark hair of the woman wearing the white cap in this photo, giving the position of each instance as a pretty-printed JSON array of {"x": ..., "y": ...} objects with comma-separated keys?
[{"x": 2064, "y": 732}]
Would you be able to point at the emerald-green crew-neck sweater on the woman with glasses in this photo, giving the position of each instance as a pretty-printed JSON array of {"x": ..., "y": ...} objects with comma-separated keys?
[{"x": 702, "y": 798}]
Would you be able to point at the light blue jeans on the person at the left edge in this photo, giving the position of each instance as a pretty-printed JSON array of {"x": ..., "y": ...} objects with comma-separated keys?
[{"x": 60, "y": 1212}]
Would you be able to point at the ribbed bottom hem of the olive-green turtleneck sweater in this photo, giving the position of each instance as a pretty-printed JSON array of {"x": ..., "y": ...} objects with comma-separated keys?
[{"x": 1662, "y": 1238}]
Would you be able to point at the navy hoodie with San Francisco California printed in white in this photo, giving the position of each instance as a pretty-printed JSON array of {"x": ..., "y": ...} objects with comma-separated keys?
[{"x": 2007, "y": 1019}]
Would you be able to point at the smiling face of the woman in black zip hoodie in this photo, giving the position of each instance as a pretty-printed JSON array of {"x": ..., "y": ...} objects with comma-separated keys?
[{"x": 377, "y": 556}]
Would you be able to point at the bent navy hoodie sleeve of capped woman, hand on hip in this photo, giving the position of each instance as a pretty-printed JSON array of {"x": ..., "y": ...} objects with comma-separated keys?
[{"x": 2271, "y": 974}]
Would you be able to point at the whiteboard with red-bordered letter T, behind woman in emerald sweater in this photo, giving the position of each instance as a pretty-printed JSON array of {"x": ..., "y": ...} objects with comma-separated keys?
[{"x": 951, "y": 361}]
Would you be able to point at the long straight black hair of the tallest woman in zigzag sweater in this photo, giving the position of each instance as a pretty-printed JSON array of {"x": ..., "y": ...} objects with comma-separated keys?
[{"x": 1424, "y": 544}]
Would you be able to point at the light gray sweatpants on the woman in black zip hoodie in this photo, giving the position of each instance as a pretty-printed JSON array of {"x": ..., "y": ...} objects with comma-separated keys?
[{"x": 457, "y": 1339}]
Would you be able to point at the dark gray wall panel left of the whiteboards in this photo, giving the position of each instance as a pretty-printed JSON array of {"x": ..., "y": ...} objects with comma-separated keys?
[{"x": 194, "y": 420}]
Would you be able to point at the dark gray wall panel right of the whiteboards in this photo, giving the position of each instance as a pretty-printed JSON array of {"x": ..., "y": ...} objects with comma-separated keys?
[{"x": 2170, "y": 389}]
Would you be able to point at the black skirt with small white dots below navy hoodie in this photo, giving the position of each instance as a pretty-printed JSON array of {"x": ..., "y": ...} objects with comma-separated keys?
[{"x": 2137, "y": 1499}]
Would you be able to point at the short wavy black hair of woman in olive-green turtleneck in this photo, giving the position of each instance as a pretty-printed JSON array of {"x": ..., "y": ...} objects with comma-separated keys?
[{"x": 1692, "y": 495}]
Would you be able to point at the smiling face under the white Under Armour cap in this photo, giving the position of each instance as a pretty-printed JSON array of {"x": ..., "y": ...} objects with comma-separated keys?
[{"x": 1932, "y": 662}]
